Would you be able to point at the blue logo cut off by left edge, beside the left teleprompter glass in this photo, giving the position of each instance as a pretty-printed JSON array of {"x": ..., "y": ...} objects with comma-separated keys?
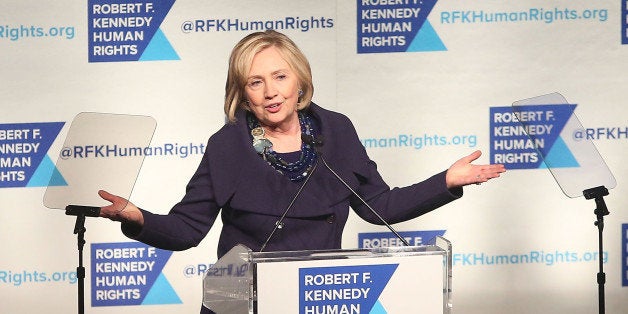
[{"x": 23, "y": 155}]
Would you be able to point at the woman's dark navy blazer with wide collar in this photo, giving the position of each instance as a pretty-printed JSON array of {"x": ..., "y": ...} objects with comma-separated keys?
[{"x": 234, "y": 181}]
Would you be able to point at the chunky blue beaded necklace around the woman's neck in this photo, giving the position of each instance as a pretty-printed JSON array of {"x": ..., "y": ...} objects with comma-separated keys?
[{"x": 297, "y": 170}]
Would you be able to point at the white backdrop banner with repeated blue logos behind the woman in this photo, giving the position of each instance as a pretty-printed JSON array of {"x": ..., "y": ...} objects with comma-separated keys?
[{"x": 424, "y": 82}]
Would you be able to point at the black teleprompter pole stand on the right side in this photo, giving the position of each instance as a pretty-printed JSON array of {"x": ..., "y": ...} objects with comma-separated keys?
[{"x": 598, "y": 194}]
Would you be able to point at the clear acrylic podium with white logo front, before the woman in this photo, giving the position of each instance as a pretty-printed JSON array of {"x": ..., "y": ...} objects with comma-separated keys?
[{"x": 408, "y": 279}]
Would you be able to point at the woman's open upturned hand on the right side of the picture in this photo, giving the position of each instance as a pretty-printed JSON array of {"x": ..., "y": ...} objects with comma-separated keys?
[{"x": 462, "y": 172}]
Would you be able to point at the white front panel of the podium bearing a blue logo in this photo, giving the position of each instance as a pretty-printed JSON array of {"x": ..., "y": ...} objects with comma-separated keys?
[{"x": 355, "y": 285}]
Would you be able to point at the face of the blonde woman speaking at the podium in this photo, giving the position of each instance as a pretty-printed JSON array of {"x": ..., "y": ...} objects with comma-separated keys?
[{"x": 272, "y": 89}]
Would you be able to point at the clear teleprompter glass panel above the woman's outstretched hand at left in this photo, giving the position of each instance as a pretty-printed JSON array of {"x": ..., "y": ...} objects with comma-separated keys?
[{"x": 101, "y": 151}]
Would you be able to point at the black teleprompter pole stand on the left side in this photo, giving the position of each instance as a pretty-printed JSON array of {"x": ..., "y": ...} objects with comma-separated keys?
[{"x": 79, "y": 229}]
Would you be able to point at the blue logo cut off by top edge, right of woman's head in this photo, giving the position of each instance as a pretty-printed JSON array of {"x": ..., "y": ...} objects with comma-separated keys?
[{"x": 396, "y": 26}]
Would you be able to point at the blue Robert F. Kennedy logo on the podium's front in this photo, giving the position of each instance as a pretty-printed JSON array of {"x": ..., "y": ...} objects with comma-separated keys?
[{"x": 343, "y": 289}]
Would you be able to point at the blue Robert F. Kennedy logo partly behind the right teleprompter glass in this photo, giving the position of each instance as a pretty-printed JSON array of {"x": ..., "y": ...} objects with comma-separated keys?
[{"x": 523, "y": 139}]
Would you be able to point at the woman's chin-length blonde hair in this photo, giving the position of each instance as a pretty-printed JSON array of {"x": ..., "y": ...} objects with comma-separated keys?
[{"x": 240, "y": 65}]
